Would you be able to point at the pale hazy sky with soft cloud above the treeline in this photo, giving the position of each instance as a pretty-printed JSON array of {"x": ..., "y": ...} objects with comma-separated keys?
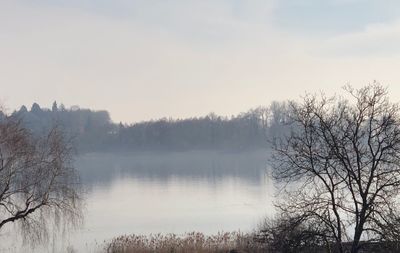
[{"x": 150, "y": 59}]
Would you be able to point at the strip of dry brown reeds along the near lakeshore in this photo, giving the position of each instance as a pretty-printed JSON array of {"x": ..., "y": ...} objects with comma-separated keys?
[{"x": 191, "y": 242}]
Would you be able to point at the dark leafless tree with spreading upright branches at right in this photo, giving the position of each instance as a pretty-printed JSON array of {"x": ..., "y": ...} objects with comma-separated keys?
[{"x": 342, "y": 161}]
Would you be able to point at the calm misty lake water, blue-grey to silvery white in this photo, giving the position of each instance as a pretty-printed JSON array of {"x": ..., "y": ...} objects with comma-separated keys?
[{"x": 169, "y": 193}]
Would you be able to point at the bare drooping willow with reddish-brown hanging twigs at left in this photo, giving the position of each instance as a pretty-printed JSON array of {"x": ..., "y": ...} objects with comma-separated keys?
[{"x": 38, "y": 185}]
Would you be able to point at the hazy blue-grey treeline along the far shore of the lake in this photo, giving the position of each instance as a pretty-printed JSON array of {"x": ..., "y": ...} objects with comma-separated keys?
[{"x": 94, "y": 130}]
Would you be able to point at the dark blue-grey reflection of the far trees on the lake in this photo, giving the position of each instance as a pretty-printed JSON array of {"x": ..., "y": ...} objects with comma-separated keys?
[{"x": 98, "y": 169}]
